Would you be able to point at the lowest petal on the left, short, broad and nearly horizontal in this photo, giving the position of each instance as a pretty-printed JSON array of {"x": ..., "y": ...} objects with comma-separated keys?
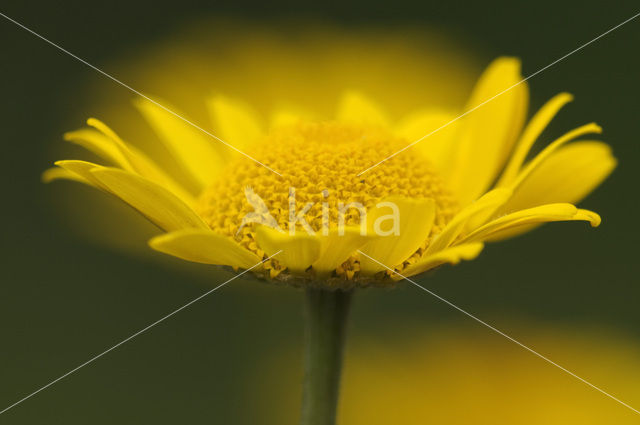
[{"x": 204, "y": 246}]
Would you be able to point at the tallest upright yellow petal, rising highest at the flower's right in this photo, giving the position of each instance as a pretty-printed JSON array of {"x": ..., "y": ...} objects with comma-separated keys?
[{"x": 489, "y": 132}]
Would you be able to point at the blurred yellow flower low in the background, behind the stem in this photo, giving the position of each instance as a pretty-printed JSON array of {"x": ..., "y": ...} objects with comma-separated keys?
[{"x": 462, "y": 375}]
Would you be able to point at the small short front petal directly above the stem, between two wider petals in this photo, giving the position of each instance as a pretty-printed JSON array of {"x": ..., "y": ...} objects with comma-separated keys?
[{"x": 336, "y": 248}]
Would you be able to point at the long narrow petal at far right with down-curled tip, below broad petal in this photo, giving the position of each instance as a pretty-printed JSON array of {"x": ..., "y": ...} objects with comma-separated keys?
[{"x": 512, "y": 224}]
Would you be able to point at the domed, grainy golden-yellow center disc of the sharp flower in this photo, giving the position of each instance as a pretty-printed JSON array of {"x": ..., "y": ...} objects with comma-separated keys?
[{"x": 319, "y": 164}]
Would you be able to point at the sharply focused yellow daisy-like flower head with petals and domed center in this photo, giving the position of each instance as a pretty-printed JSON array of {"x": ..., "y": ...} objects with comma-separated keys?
[{"x": 308, "y": 186}]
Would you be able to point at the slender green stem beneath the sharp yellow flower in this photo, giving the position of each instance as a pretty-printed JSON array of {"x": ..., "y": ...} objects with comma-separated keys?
[{"x": 326, "y": 316}]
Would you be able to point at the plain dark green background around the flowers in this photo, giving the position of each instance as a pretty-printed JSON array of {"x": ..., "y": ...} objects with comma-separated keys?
[{"x": 63, "y": 300}]
